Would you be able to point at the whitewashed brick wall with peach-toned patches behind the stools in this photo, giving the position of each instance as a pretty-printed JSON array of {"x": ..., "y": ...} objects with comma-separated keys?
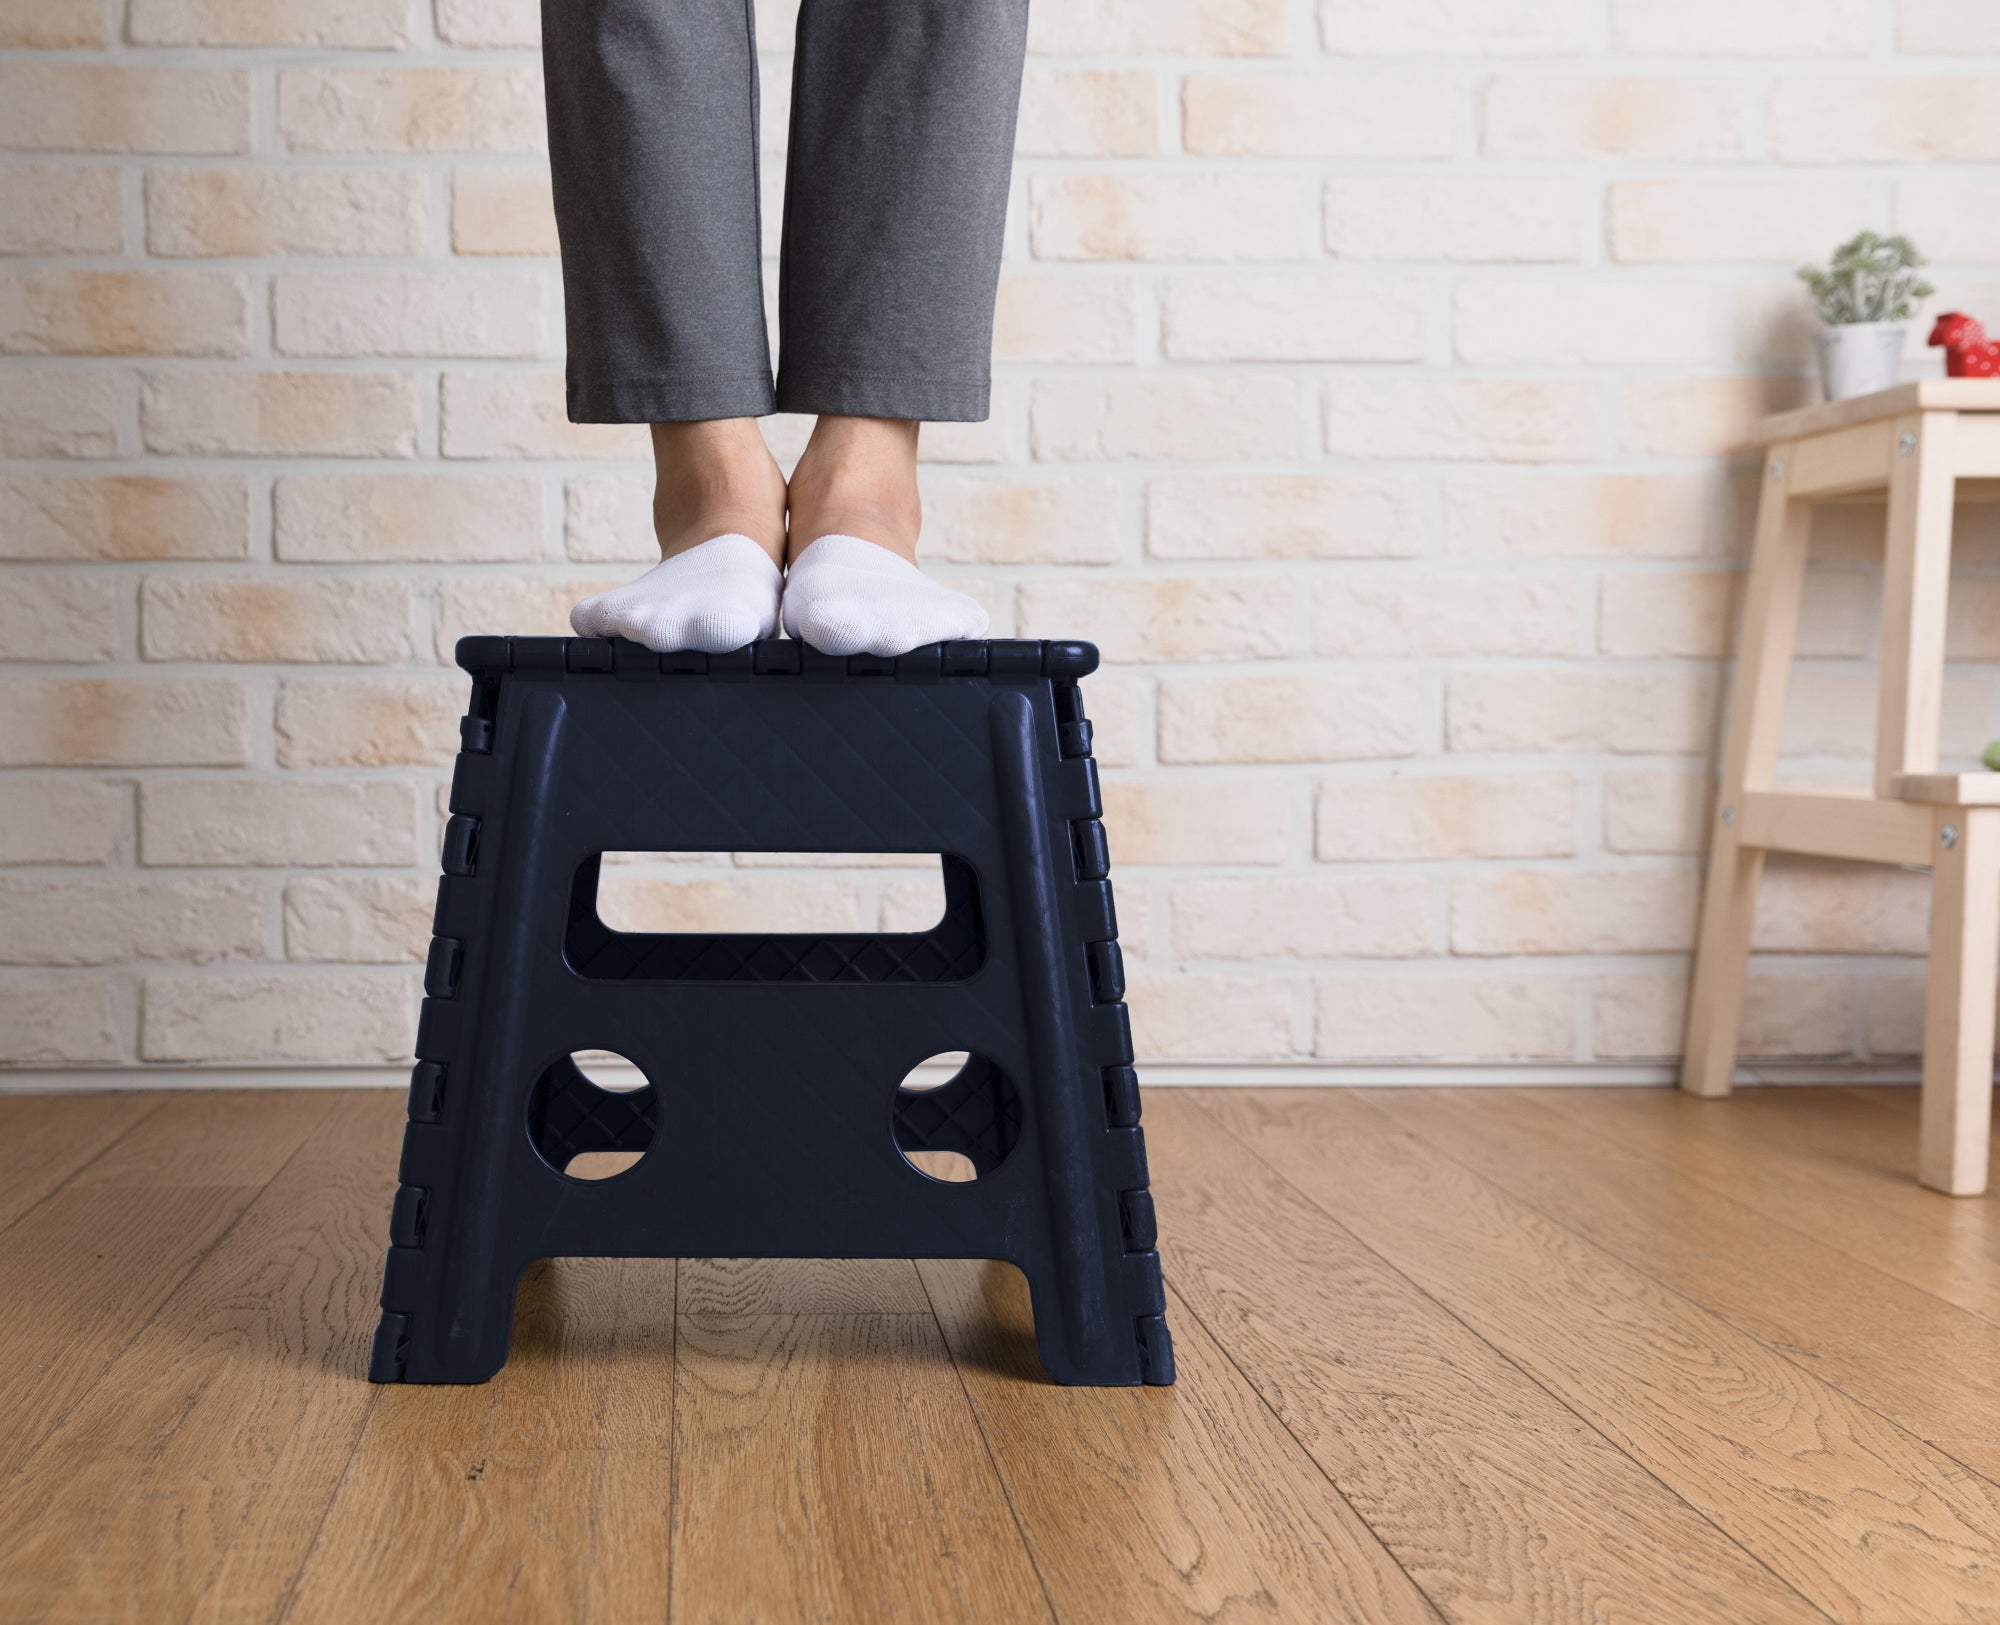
[{"x": 1371, "y": 379}]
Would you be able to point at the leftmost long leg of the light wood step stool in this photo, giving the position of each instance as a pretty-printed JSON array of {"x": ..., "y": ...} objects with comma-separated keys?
[{"x": 1749, "y": 761}]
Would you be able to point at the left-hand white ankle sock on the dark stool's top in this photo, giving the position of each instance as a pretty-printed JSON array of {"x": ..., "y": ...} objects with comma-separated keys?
[{"x": 717, "y": 597}]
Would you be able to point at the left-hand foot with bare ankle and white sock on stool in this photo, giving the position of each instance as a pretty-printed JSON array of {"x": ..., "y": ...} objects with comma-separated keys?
[{"x": 719, "y": 515}]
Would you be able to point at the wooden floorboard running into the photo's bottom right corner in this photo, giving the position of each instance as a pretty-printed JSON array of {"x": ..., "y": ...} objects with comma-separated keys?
[{"x": 1785, "y": 1464}]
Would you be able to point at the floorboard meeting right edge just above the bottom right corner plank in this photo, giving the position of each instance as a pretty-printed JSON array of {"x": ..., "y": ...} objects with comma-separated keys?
[{"x": 1917, "y": 1360}]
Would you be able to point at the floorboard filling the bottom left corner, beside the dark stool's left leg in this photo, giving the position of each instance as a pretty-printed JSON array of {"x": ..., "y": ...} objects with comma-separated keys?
[{"x": 223, "y": 1428}]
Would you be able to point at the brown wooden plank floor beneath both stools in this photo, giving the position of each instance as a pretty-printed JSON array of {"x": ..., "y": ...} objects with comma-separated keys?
[{"x": 1469, "y": 1356}]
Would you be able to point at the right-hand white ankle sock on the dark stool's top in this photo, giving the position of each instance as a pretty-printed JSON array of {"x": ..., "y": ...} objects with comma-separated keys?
[{"x": 851, "y": 597}]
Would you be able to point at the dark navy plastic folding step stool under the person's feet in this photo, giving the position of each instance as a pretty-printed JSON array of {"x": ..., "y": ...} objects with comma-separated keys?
[{"x": 775, "y": 1120}]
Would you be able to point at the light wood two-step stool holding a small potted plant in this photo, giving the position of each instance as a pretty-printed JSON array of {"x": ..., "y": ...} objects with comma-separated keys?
[{"x": 1923, "y": 445}]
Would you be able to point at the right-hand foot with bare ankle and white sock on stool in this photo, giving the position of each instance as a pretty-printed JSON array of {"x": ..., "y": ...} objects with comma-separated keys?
[{"x": 853, "y": 585}]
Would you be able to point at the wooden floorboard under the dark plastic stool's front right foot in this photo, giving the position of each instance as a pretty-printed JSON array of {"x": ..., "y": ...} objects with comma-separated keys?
[{"x": 1163, "y": 1504}]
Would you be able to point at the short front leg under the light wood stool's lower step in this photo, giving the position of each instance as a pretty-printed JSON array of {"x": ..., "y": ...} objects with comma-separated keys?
[{"x": 1959, "y": 1004}]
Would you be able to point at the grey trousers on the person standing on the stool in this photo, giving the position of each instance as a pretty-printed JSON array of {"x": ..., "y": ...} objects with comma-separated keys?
[{"x": 901, "y": 147}]
